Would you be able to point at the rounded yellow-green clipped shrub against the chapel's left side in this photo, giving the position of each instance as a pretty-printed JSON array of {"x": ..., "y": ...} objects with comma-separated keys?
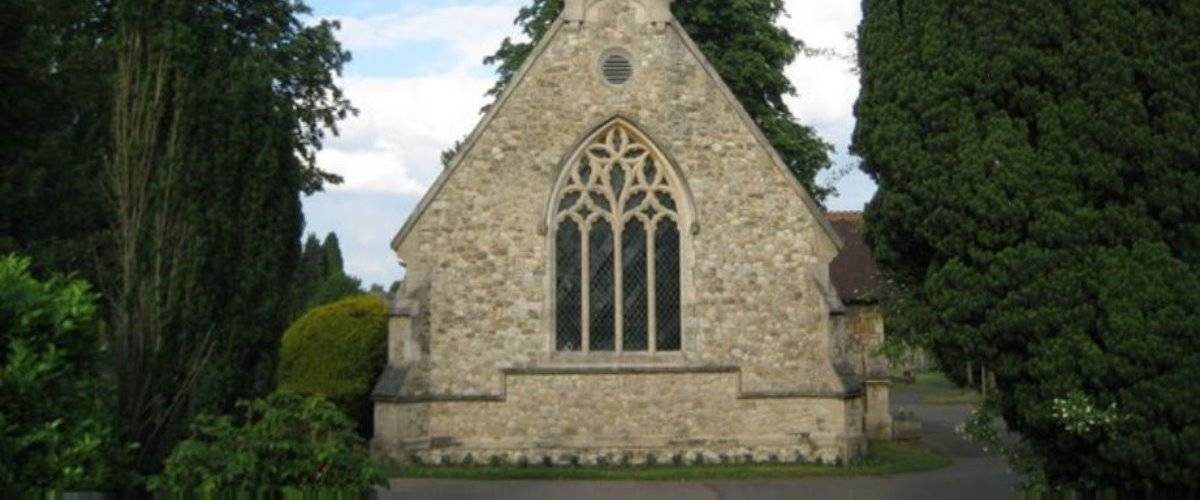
[{"x": 338, "y": 352}]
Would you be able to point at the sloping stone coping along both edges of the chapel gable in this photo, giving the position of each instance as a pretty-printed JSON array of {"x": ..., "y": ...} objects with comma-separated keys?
[{"x": 815, "y": 209}]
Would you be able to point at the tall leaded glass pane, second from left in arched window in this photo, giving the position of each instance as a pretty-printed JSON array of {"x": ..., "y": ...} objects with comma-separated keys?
[{"x": 603, "y": 293}]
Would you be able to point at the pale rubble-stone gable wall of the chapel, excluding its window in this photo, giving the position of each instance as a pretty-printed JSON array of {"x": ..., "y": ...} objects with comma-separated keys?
[{"x": 479, "y": 274}]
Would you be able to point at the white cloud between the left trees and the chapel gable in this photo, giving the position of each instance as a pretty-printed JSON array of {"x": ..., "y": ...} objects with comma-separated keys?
[{"x": 395, "y": 144}]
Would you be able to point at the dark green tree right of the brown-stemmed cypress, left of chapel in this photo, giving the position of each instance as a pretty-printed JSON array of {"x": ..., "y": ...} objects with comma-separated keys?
[{"x": 259, "y": 115}]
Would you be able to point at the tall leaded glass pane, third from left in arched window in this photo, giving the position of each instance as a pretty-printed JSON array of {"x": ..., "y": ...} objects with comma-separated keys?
[{"x": 634, "y": 279}]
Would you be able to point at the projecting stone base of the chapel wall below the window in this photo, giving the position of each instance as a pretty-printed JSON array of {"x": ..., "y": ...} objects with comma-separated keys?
[{"x": 622, "y": 417}]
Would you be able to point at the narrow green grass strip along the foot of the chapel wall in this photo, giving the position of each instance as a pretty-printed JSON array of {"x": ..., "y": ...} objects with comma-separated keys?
[{"x": 885, "y": 459}]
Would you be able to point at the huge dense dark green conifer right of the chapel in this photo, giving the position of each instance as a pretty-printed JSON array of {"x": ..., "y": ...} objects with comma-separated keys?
[{"x": 1040, "y": 168}]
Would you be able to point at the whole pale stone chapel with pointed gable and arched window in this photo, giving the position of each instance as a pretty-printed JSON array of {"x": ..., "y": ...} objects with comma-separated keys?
[{"x": 619, "y": 268}]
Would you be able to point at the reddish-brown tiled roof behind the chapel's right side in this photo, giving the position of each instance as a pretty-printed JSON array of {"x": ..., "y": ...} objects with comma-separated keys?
[{"x": 854, "y": 273}]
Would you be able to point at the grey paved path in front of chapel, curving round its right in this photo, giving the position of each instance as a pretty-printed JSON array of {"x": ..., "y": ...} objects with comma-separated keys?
[{"x": 975, "y": 475}]
